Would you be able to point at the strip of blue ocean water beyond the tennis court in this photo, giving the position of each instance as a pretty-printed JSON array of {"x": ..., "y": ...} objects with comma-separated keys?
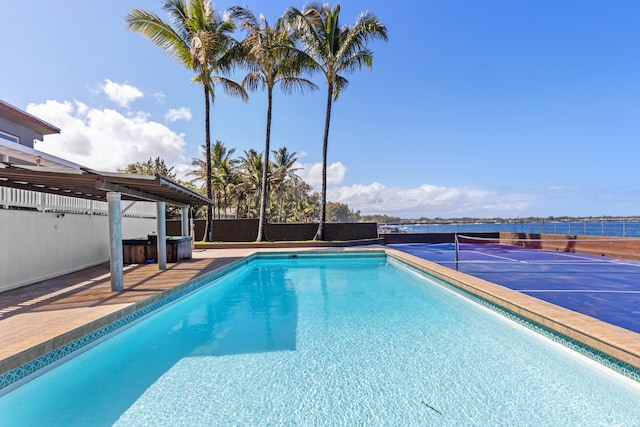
[{"x": 586, "y": 228}]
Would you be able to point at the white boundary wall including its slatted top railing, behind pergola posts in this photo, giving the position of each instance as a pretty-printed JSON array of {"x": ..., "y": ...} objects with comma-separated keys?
[{"x": 46, "y": 235}]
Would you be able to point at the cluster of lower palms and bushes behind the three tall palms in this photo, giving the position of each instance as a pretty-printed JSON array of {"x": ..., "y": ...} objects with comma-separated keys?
[{"x": 237, "y": 186}]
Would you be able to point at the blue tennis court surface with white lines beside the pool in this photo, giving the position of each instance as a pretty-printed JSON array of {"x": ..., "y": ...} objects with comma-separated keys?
[{"x": 605, "y": 288}]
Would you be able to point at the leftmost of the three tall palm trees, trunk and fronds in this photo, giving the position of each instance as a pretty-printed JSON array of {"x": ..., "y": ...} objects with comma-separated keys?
[{"x": 201, "y": 40}]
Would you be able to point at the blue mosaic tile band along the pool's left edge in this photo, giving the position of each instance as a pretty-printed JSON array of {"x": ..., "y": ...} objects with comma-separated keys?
[{"x": 32, "y": 367}]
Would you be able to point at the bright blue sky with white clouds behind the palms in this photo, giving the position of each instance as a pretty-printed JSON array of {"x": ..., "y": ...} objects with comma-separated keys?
[{"x": 473, "y": 108}]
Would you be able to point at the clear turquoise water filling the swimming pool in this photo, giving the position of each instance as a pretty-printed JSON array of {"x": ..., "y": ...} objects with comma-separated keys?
[{"x": 325, "y": 340}]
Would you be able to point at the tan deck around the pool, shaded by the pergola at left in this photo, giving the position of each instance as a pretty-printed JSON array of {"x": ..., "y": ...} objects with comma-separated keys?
[{"x": 39, "y": 318}]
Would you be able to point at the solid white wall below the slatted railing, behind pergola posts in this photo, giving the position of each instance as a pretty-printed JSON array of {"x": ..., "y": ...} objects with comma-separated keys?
[{"x": 39, "y": 245}]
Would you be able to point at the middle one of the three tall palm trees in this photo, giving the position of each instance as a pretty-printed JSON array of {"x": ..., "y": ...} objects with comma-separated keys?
[{"x": 272, "y": 59}]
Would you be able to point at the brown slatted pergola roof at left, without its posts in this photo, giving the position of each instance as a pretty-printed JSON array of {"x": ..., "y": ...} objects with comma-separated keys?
[{"x": 94, "y": 185}]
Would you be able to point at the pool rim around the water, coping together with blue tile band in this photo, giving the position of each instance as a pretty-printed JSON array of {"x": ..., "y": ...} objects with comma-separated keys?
[{"x": 612, "y": 346}]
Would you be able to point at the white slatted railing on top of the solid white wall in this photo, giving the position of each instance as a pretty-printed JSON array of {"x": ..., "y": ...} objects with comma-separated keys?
[{"x": 13, "y": 198}]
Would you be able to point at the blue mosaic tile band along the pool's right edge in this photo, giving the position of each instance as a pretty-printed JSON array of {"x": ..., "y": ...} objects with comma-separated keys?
[{"x": 598, "y": 356}]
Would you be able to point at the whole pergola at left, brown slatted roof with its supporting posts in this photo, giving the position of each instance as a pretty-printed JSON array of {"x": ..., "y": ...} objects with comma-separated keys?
[{"x": 111, "y": 188}]
